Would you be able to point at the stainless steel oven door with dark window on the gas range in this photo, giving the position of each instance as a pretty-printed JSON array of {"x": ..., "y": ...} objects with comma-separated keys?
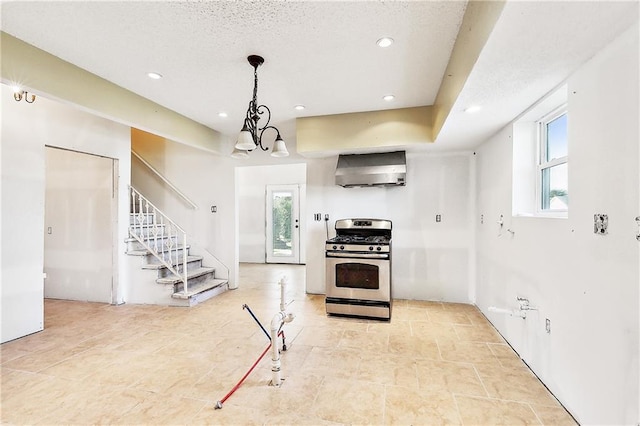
[{"x": 358, "y": 278}]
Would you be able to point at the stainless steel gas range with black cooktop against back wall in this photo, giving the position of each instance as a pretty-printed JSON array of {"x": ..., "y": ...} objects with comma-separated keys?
[{"x": 358, "y": 269}]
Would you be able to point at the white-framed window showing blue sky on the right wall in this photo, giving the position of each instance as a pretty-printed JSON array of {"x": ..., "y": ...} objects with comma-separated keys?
[{"x": 553, "y": 191}]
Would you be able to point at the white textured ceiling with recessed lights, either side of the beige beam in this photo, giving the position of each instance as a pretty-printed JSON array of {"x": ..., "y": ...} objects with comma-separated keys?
[{"x": 321, "y": 54}]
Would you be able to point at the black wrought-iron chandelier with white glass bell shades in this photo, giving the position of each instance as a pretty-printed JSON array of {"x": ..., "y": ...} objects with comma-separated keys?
[{"x": 250, "y": 136}]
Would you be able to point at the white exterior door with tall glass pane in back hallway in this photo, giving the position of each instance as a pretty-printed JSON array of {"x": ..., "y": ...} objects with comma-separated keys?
[{"x": 283, "y": 224}]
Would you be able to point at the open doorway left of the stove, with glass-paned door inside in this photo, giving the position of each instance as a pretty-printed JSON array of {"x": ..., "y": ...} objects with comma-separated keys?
[{"x": 255, "y": 233}]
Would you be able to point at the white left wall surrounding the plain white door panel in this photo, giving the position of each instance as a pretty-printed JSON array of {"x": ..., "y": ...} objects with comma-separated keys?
[{"x": 26, "y": 129}]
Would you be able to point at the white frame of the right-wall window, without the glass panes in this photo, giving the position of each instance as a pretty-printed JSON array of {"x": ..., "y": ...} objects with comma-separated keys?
[{"x": 543, "y": 164}]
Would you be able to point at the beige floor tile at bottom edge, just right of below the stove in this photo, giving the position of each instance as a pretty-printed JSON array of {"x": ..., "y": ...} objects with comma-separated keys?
[{"x": 406, "y": 406}]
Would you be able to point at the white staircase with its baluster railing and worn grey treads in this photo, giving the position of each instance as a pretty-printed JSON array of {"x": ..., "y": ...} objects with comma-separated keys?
[{"x": 179, "y": 278}]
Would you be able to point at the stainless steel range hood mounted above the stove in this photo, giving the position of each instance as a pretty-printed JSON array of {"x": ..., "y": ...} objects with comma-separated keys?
[{"x": 385, "y": 169}]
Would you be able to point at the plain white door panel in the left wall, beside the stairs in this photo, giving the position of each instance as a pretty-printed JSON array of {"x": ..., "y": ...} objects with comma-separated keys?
[{"x": 79, "y": 237}]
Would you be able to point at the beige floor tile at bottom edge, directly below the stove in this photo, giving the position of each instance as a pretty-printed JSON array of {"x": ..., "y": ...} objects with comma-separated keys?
[{"x": 360, "y": 402}]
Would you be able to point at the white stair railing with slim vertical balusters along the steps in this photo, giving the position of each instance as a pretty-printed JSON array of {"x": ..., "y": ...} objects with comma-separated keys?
[{"x": 159, "y": 235}]
